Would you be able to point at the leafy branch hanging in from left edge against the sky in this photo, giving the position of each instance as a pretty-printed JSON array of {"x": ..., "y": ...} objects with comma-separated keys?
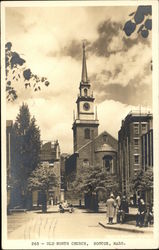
[{"x": 16, "y": 71}]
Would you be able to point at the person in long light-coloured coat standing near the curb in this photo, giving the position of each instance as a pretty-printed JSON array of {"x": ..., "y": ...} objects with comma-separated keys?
[{"x": 111, "y": 205}]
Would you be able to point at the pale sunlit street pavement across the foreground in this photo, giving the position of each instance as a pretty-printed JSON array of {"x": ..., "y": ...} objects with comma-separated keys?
[{"x": 54, "y": 225}]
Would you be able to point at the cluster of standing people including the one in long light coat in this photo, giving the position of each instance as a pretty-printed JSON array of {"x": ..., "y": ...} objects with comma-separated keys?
[{"x": 116, "y": 209}]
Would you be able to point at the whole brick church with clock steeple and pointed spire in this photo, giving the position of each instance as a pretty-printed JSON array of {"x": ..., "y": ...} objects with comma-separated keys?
[{"x": 89, "y": 147}]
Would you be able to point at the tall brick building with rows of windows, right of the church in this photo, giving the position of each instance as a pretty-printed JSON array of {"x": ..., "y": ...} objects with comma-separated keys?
[{"x": 134, "y": 147}]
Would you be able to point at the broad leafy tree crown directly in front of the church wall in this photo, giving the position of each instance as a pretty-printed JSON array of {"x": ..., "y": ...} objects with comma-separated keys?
[{"x": 93, "y": 177}]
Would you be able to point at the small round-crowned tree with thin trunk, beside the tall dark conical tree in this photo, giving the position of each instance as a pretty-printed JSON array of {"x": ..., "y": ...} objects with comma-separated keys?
[{"x": 42, "y": 179}]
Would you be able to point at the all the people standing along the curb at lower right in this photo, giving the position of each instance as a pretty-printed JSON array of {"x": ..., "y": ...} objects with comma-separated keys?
[{"x": 118, "y": 207}]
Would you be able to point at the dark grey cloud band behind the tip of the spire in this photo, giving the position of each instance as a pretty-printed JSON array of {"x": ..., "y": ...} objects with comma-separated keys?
[{"x": 111, "y": 39}]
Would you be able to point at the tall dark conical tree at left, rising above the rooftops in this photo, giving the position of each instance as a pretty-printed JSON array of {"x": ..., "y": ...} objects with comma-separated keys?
[{"x": 26, "y": 150}]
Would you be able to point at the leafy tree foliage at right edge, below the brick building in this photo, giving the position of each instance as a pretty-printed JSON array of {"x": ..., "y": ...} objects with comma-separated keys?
[{"x": 144, "y": 180}]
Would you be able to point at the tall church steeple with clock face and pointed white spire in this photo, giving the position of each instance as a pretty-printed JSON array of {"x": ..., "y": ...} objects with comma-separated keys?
[{"x": 85, "y": 126}]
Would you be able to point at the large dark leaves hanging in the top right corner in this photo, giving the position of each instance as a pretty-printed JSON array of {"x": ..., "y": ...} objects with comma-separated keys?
[{"x": 141, "y": 18}]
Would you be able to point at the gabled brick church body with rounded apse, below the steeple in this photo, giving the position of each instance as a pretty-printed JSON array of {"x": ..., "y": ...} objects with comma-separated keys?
[{"x": 100, "y": 151}]
